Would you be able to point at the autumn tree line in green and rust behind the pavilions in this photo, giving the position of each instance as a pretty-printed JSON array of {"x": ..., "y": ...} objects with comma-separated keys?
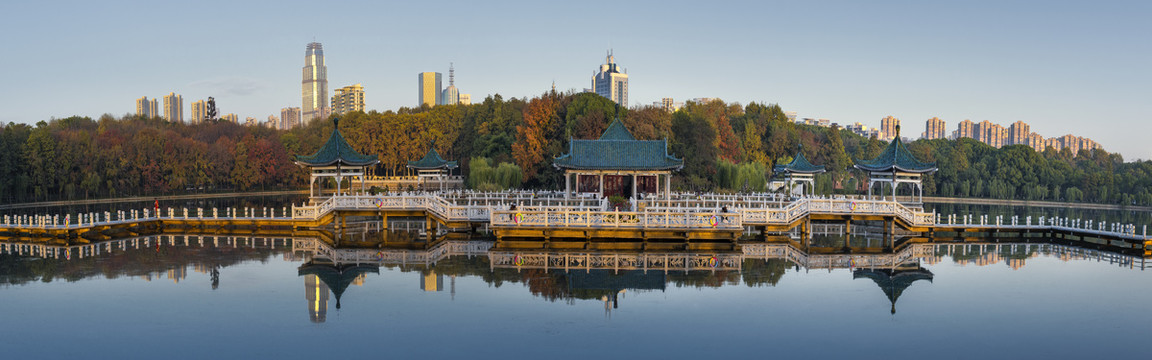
[{"x": 726, "y": 147}]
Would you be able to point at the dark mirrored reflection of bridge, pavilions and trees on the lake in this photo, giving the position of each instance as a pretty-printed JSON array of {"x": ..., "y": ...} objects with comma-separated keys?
[{"x": 328, "y": 269}]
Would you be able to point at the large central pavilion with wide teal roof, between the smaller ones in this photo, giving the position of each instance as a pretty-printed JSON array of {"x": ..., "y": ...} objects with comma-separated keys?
[{"x": 618, "y": 164}]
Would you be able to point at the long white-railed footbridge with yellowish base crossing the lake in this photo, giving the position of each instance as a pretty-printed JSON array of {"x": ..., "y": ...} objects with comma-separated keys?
[{"x": 723, "y": 217}]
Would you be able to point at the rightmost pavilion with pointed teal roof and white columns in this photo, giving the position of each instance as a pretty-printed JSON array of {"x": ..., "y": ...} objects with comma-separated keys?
[{"x": 897, "y": 166}]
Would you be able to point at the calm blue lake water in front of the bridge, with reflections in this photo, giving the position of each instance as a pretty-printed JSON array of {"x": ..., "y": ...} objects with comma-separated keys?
[{"x": 252, "y": 298}]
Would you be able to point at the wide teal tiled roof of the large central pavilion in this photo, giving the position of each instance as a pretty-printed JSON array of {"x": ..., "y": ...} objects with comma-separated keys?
[{"x": 618, "y": 149}]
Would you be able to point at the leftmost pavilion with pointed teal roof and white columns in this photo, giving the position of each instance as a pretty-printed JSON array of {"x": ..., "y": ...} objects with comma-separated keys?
[{"x": 336, "y": 160}]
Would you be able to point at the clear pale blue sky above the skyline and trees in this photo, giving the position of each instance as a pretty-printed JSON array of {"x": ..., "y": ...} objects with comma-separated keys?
[{"x": 1065, "y": 67}]
